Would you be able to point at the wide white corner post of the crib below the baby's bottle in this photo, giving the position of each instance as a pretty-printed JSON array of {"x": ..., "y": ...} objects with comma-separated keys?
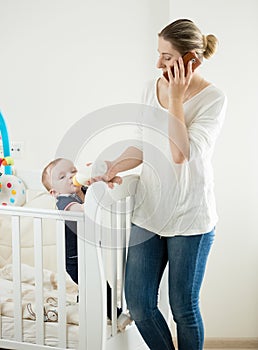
[{"x": 96, "y": 300}]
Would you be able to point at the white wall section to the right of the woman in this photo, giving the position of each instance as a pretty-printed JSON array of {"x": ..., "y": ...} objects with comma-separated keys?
[{"x": 230, "y": 294}]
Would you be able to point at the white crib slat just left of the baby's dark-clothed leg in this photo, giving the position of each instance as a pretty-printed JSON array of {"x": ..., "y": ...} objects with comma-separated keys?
[{"x": 60, "y": 239}]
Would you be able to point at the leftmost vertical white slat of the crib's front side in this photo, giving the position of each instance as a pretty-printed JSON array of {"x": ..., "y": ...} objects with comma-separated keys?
[{"x": 16, "y": 256}]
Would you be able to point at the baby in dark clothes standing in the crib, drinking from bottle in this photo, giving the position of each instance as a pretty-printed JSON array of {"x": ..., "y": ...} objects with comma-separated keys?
[{"x": 57, "y": 177}]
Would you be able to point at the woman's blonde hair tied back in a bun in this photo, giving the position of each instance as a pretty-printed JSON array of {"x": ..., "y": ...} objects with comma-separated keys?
[{"x": 185, "y": 36}]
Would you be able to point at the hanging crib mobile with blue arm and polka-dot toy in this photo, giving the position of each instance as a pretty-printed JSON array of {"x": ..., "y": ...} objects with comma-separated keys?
[{"x": 12, "y": 189}]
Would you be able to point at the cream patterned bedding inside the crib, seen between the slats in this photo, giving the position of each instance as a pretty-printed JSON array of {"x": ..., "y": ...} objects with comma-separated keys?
[{"x": 28, "y": 307}]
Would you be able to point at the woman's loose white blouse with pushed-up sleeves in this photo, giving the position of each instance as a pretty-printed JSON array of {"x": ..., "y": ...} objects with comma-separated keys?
[{"x": 178, "y": 199}]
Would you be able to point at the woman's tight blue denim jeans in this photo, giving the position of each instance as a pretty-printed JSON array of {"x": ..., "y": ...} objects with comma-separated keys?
[{"x": 148, "y": 256}]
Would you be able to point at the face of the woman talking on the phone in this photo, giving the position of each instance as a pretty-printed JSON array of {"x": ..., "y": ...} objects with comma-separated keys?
[{"x": 167, "y": 54}]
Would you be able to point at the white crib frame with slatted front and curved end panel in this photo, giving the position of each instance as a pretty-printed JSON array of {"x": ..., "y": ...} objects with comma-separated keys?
[{"x": 102, "y": 236}]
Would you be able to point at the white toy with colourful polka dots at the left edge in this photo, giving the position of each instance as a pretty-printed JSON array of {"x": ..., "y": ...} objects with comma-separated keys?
[{"x": 12, "y": 190}]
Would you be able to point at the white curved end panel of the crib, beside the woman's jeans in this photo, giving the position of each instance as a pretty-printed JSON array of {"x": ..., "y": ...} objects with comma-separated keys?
[{"x": 107, "y": 225}]
